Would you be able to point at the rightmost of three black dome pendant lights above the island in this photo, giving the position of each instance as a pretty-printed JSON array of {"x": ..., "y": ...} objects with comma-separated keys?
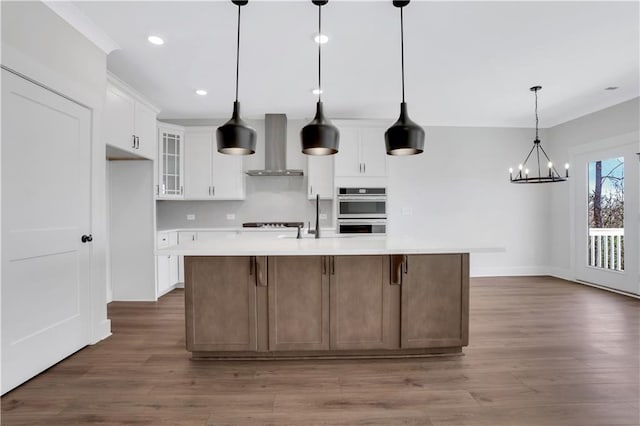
[{"x": 404, "y": 137}]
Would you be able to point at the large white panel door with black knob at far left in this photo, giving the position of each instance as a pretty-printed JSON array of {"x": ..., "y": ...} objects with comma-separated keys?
[{"x": 45, "y": 210}]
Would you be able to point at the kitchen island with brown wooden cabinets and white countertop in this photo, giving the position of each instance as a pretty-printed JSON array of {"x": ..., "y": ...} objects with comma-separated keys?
[{"x": 330, "y": 297}]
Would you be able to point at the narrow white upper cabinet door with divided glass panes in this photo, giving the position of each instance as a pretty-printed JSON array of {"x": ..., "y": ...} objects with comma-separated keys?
[{"x": 170, "y": 163}]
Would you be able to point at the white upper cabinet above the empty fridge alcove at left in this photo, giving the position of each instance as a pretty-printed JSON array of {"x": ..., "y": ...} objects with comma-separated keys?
[{"x": 129, "y": 122}]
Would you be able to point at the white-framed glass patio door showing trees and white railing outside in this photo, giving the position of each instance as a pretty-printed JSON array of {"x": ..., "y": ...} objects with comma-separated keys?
[{"x": 606, "y": 222}]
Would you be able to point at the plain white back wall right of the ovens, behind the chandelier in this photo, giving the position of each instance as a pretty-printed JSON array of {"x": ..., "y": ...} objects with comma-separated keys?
[{"x": 458, "y": 193}]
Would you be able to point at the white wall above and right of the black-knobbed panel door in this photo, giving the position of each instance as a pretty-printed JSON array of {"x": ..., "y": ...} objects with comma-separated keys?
[{"x": 38, "y": 44}]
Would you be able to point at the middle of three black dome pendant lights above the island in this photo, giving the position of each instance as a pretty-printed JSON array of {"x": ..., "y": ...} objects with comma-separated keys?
[{"x": 320, "y": 137}]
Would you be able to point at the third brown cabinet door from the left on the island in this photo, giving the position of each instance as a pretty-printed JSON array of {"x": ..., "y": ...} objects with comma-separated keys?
[{"x": 361, "y": 303}]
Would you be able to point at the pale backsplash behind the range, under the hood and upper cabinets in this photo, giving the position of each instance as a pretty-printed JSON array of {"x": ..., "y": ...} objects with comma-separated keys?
[{"x": 275, "y": 198}]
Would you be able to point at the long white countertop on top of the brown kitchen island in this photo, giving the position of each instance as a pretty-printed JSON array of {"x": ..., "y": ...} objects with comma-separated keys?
[{"x": 325, "y": 246}]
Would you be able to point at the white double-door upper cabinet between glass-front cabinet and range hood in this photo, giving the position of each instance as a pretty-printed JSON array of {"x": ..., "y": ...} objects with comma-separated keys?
[{"x": 208, "y": 174}]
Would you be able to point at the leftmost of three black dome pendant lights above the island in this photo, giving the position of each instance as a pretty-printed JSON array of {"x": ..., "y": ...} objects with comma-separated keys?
[{"x": 235, "y": 137}]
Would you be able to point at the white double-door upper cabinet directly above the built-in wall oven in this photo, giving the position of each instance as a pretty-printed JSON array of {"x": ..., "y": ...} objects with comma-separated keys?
[{"x": 362, "y": 151}]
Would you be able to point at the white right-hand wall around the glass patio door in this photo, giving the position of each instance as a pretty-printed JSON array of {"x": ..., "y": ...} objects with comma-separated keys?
[{"x": 600, "y": 127}]
